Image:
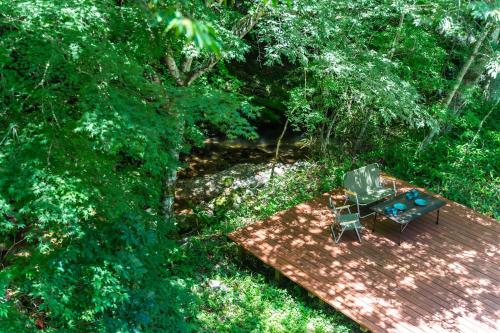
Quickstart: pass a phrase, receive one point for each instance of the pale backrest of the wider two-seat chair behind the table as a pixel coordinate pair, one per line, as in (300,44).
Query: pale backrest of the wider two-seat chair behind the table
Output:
(364,179)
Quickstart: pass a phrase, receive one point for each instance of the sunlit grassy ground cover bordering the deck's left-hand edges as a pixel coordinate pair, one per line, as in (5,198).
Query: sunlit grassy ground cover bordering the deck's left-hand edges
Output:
(246,297)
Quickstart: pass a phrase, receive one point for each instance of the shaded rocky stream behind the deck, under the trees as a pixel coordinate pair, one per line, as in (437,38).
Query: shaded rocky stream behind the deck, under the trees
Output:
(206,167)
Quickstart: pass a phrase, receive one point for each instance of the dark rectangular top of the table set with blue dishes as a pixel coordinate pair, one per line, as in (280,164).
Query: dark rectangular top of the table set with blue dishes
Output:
(412,211)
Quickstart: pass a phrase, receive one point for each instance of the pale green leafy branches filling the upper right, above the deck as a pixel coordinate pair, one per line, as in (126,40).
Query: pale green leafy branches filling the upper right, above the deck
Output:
(368,67)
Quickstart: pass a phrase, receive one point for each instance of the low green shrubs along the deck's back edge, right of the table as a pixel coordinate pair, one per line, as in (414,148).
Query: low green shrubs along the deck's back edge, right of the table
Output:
(462,165)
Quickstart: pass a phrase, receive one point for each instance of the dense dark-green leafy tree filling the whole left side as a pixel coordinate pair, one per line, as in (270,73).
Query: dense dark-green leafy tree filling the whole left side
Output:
(89,122)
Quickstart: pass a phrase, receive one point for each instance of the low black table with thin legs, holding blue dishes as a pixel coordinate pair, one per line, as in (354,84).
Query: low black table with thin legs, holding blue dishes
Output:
(411,213)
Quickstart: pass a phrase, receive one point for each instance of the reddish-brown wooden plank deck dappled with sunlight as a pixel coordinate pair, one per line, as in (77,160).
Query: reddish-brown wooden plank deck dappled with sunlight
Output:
(443,278)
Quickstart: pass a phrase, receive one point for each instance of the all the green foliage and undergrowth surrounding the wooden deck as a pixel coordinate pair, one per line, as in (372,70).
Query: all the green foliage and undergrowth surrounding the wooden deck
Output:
(92,121)
